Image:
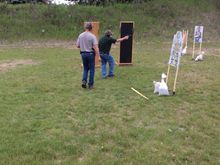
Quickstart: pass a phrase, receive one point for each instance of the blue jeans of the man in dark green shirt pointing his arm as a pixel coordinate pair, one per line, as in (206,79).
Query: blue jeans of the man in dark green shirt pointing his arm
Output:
(107,58)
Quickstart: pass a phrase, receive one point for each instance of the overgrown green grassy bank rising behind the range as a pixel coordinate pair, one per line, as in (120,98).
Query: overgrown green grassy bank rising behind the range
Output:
(158,19)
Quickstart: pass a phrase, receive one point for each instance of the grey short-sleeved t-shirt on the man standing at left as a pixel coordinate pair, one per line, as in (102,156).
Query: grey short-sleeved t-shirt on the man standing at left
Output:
(86,41)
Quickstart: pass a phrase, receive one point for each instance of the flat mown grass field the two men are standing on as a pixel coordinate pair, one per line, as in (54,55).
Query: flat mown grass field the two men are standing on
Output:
(47,118)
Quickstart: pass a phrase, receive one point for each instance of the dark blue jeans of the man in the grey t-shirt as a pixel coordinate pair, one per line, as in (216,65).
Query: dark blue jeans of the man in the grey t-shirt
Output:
(88,59)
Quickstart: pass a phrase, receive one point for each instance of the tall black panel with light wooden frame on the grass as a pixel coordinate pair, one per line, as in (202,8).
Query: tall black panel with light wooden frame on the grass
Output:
(127,28)
